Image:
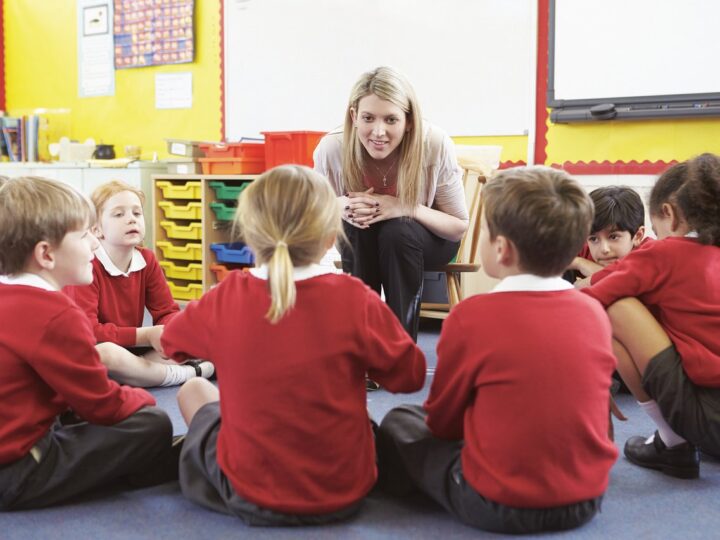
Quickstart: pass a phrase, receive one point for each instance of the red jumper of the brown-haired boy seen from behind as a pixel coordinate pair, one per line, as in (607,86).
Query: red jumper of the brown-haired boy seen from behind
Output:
(523,378)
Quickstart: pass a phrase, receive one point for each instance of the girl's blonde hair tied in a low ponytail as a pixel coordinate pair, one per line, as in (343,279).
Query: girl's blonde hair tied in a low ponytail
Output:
(287,217)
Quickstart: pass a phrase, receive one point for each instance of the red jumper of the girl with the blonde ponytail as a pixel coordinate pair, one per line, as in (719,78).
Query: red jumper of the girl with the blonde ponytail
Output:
(295,435)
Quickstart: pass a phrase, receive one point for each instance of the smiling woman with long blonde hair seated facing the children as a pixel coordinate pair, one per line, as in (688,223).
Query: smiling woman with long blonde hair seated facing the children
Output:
(399,188)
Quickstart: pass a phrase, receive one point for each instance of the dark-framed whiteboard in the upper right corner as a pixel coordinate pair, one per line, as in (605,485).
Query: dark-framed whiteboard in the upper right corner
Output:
(661,53)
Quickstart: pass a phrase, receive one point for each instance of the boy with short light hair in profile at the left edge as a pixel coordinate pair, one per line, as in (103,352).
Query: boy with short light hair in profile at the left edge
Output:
(49,363)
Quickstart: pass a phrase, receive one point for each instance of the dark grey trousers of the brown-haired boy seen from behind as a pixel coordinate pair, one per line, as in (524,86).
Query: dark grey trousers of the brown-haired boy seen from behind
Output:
(410,457)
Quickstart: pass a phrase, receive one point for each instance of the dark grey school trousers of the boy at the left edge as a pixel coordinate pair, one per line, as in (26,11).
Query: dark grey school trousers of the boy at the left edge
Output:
(72,459)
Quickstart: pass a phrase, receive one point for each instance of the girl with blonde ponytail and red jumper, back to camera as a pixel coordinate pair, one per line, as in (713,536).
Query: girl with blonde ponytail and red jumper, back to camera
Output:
(292,343)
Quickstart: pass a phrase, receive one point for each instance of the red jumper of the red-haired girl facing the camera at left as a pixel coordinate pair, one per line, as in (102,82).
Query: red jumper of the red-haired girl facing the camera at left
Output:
(115,304)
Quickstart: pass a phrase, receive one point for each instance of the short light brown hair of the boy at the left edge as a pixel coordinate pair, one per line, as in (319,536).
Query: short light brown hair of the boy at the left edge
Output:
(33,210)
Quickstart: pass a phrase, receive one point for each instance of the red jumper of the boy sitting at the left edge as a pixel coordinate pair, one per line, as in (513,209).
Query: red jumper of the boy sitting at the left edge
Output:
(49,364)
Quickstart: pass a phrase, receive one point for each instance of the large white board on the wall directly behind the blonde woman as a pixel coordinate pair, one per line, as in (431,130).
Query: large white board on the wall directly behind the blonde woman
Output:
(290,64)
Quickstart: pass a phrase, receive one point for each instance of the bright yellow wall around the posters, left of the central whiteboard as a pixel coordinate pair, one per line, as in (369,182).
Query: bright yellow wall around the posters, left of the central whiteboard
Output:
(41,72)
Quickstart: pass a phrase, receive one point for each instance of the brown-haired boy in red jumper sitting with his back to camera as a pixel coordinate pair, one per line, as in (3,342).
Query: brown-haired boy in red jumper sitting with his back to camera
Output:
(513,437)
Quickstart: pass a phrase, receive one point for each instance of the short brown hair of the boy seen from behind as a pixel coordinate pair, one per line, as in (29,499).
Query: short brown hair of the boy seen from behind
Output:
(544,212)
